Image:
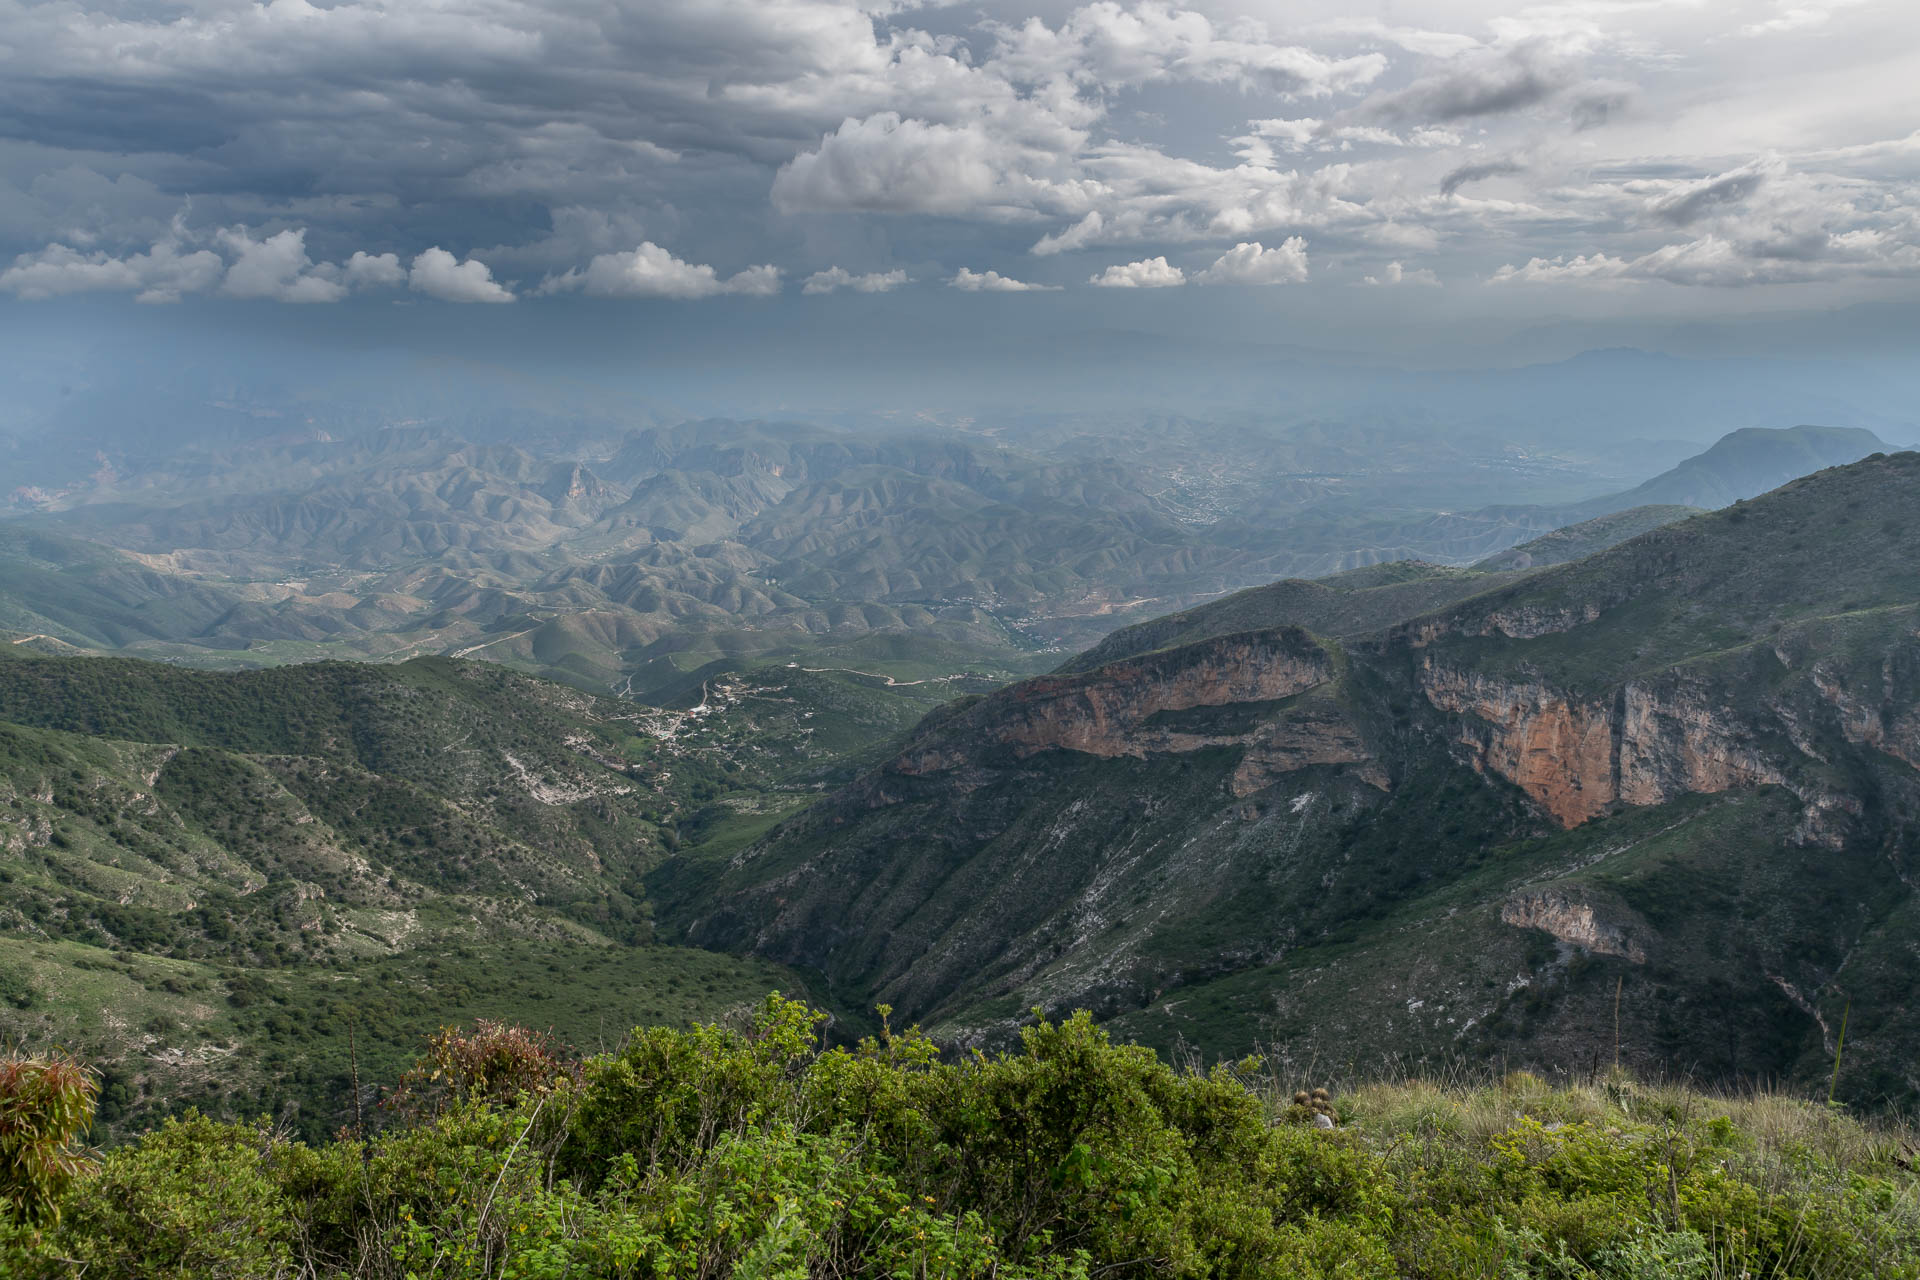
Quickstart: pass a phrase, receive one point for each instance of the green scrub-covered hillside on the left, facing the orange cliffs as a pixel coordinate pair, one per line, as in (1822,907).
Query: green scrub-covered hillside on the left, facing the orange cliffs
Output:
(210,880)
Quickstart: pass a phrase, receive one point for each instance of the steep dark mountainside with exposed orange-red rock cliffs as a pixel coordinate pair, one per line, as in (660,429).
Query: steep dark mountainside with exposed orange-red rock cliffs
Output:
(1683,767)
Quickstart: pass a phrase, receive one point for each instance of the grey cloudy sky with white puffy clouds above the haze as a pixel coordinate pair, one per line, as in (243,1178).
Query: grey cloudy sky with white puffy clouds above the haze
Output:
(1293,164)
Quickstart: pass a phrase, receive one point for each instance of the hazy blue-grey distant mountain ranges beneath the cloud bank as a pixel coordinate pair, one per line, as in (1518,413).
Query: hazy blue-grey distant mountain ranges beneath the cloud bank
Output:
(598,569)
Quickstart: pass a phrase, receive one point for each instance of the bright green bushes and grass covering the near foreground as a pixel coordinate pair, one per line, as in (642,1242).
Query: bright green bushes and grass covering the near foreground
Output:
(757,1152)
